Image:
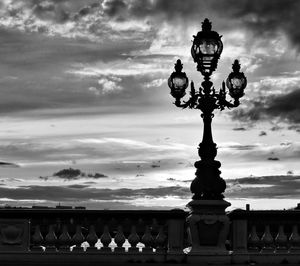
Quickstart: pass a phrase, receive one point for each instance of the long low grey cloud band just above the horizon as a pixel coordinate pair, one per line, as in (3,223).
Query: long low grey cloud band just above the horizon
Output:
(249,187)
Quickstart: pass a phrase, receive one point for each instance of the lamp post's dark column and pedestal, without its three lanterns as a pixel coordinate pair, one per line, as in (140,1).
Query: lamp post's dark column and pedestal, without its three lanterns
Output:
(208,224)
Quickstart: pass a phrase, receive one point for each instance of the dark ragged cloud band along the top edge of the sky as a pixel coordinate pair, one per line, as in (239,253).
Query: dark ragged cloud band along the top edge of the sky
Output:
(261,17)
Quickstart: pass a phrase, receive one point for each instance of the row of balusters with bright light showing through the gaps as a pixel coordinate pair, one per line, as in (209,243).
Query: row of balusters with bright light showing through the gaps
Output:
(103,235)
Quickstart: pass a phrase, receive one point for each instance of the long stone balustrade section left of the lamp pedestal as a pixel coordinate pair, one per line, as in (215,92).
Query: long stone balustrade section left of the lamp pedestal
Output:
(132,236)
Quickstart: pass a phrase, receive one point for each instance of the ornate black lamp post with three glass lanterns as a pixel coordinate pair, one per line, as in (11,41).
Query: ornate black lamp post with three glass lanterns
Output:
(207,187)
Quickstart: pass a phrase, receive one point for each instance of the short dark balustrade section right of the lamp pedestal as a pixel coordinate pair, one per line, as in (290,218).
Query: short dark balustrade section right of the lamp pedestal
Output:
(266,236)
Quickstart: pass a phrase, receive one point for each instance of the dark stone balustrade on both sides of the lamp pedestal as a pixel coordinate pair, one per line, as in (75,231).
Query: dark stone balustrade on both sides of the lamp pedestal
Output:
(75,236)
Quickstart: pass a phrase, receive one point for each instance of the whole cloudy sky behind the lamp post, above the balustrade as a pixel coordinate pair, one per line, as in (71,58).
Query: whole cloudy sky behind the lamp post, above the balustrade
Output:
(83,86)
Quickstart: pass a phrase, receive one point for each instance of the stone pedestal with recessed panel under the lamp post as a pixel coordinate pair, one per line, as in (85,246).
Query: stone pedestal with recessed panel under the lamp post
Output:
(208,227)
